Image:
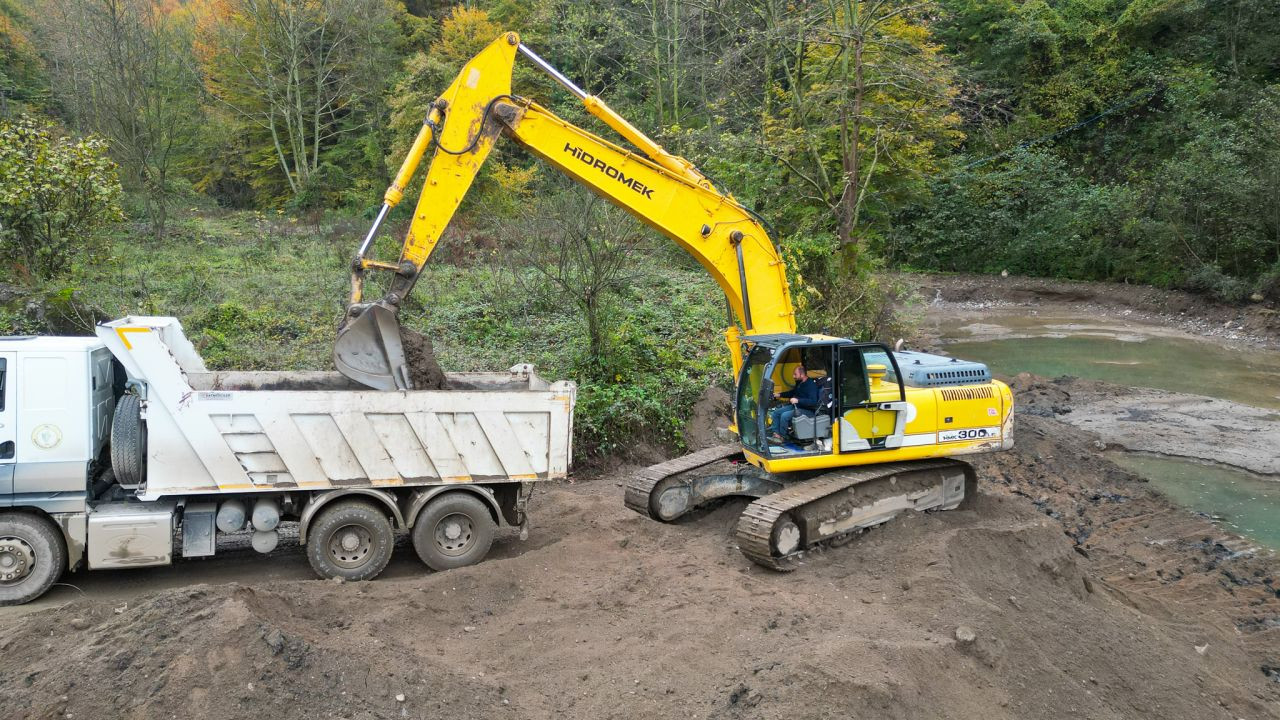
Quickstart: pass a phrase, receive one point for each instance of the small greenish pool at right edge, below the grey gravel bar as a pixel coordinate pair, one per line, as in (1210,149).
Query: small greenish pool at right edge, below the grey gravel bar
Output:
(1241,502)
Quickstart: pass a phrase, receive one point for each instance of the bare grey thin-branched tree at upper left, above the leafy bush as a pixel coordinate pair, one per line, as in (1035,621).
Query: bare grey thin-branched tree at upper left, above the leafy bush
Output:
(124,70)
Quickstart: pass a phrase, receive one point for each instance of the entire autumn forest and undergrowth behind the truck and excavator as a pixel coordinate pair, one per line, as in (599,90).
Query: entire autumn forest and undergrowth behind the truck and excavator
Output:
(221,160)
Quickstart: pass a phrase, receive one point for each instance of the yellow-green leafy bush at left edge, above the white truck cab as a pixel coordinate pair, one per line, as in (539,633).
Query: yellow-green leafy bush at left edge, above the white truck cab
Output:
(56,193)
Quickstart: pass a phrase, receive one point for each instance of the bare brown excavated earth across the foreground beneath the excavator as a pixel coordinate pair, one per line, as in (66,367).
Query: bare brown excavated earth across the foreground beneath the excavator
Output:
(1069,589)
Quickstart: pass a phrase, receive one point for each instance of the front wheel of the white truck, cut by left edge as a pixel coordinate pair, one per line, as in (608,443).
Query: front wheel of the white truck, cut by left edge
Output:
(33,557)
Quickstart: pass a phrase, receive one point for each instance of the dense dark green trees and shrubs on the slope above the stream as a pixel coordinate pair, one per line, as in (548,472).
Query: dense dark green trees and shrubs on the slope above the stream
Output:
(1154,144)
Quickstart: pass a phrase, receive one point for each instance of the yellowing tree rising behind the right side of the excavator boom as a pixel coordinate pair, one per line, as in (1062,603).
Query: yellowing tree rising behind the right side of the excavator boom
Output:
(871,106)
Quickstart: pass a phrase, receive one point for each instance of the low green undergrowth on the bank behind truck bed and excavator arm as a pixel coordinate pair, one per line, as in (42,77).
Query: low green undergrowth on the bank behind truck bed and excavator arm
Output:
(267,291)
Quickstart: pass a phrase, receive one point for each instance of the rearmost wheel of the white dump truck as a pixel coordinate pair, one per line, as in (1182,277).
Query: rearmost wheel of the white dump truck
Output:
(454,531)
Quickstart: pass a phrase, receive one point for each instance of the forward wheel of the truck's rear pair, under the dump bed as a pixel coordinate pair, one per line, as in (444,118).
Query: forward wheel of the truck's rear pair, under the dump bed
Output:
(350,540)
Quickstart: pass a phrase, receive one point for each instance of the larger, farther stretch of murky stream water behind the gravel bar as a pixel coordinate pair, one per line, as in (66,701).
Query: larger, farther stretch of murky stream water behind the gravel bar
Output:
(1123,353)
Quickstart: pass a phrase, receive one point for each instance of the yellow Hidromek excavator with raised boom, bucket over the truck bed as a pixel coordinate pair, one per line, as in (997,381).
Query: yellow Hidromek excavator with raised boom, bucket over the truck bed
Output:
(877,440)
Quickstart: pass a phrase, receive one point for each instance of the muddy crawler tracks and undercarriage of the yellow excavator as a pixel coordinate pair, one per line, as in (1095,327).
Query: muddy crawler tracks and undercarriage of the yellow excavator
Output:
(797,513)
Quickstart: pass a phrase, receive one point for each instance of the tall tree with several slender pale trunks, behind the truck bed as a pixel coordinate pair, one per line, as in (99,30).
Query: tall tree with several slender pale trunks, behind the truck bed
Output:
(303,76)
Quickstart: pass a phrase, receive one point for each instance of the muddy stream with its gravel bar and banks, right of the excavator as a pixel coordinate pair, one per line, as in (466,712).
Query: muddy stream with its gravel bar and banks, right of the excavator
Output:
(1190,404)
